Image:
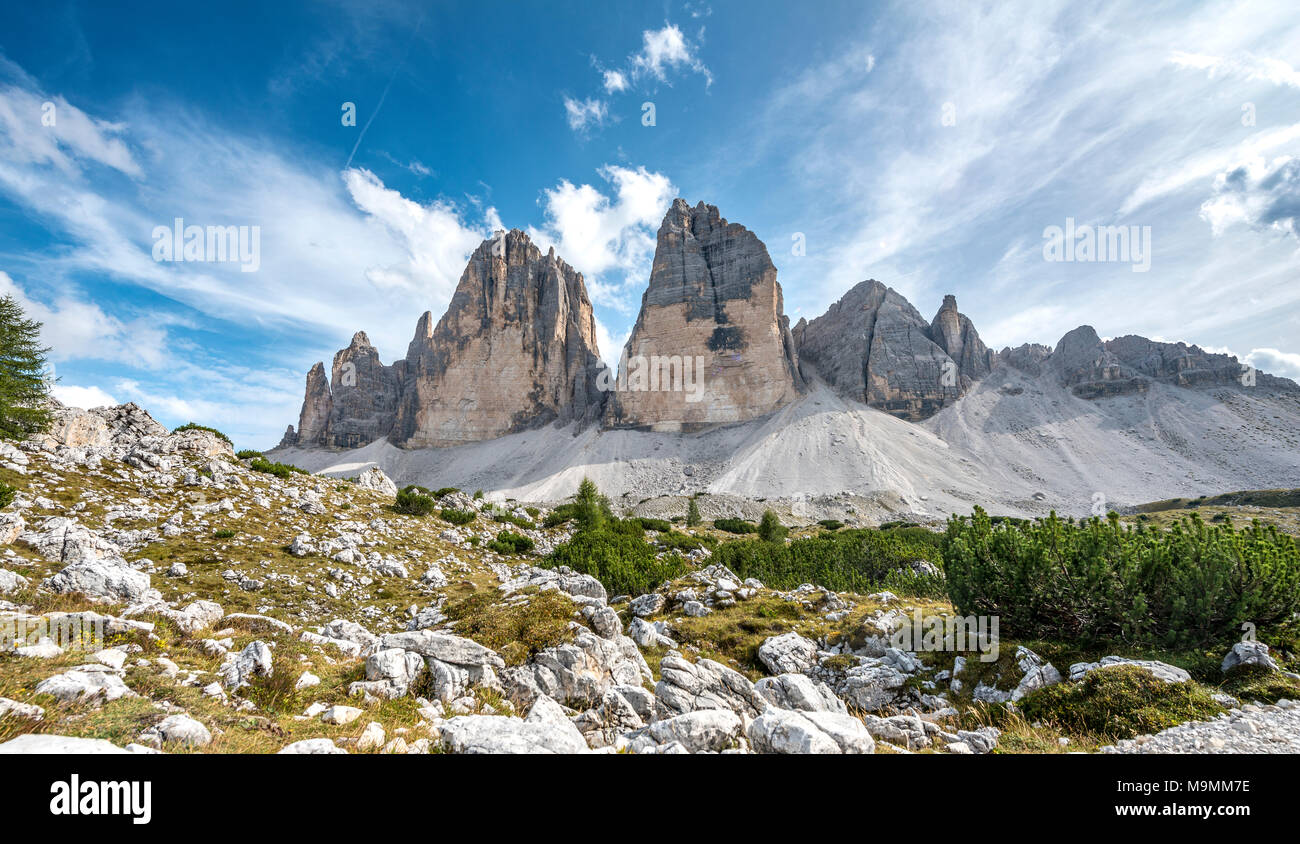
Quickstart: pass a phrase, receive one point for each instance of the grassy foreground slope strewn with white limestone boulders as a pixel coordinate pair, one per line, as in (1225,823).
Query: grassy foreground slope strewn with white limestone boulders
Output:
(270,611)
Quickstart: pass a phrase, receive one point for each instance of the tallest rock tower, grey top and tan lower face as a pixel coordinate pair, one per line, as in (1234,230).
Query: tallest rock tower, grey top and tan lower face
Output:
(712,344)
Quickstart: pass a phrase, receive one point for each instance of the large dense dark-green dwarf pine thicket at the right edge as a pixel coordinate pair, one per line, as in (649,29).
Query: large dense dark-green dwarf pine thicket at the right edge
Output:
(1097,581)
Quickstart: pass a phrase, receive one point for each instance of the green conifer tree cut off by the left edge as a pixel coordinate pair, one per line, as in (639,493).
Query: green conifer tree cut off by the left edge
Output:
(24,388)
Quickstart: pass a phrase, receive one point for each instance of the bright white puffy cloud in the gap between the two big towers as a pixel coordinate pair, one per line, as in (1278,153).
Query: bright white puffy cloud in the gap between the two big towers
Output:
(609,240)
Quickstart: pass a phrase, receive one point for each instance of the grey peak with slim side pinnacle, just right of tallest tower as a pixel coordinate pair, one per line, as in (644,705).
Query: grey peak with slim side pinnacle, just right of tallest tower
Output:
(876,348)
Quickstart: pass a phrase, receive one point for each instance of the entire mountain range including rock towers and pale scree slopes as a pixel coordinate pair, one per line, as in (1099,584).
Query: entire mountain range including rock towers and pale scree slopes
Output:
(866,410)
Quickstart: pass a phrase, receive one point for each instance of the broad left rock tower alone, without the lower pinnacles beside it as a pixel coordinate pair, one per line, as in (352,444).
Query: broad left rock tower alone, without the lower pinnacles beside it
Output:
(517,349)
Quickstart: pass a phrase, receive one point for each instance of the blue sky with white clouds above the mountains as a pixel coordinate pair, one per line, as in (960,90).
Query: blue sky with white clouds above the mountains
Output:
(925,145)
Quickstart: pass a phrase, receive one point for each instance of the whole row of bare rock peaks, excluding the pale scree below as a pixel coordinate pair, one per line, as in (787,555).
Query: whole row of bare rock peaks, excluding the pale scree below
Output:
(712,347)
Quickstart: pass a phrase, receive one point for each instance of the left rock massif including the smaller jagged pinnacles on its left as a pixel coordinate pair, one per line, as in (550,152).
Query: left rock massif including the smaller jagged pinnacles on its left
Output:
(517,349)
